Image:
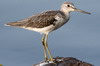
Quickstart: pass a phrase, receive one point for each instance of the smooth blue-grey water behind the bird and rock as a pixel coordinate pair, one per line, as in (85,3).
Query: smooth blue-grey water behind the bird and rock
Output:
(79,38)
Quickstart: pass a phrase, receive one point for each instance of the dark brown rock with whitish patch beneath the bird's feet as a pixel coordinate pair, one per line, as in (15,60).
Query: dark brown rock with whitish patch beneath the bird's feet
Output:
(63,61)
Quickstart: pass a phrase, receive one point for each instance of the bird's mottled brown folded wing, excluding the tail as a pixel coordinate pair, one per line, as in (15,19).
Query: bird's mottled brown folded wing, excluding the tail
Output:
(42,20)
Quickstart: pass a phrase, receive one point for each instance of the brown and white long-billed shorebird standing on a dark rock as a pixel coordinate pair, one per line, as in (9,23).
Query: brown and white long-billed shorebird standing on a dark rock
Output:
(47,22)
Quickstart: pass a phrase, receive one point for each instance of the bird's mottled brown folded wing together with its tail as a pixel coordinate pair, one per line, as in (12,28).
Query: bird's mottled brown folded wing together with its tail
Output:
(37,21)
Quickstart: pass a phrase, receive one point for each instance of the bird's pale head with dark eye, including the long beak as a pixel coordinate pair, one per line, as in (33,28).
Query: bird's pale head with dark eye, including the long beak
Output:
(67,7)
